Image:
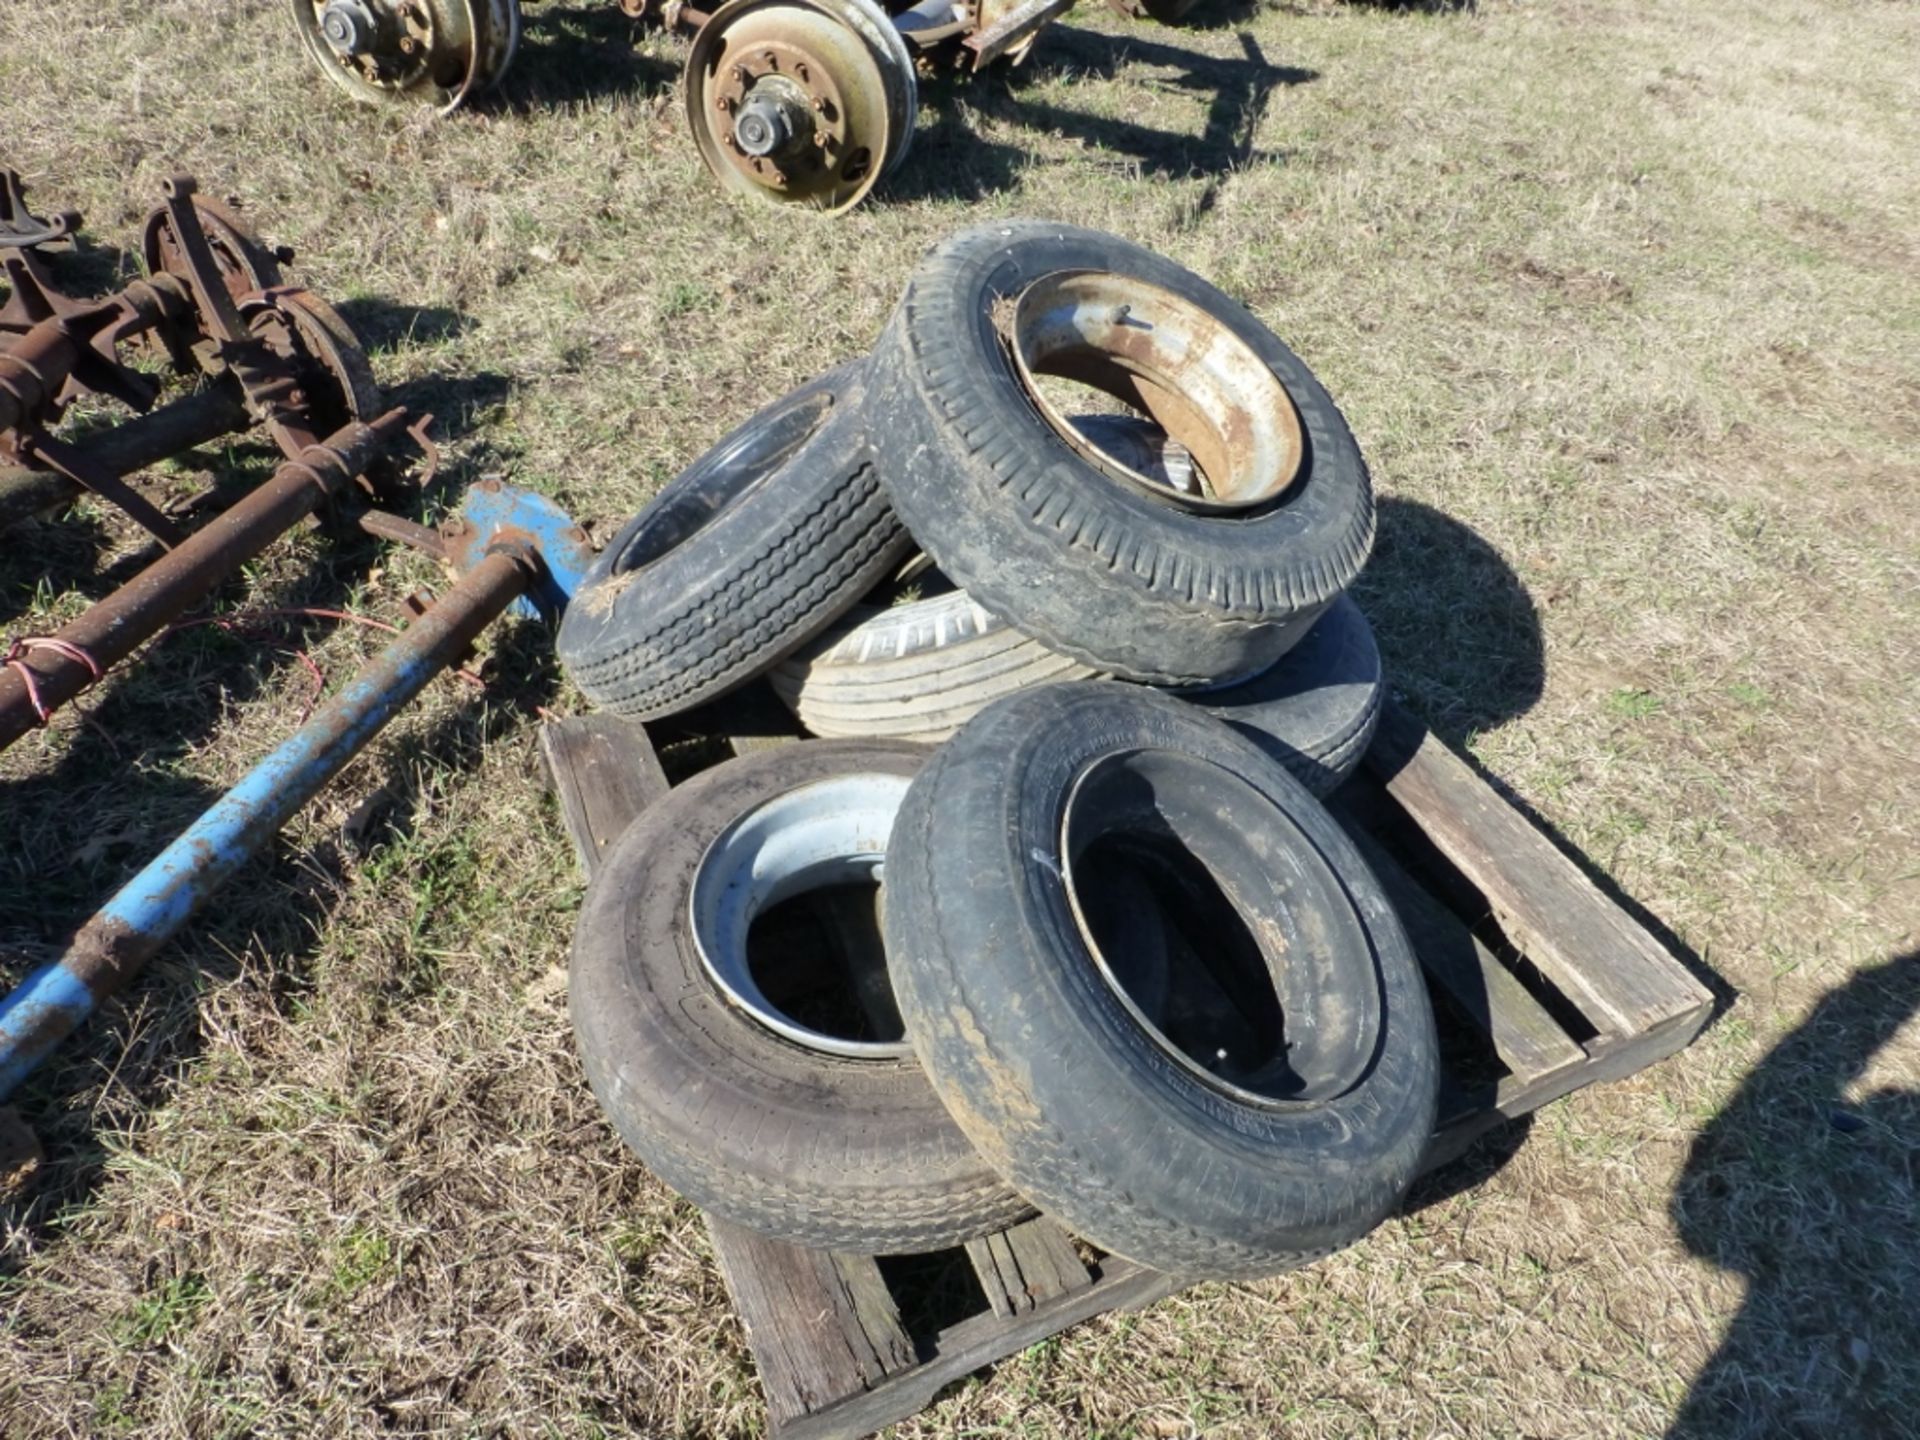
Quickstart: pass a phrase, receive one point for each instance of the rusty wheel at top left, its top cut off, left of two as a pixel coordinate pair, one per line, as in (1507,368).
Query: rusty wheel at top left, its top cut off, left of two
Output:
(406,53)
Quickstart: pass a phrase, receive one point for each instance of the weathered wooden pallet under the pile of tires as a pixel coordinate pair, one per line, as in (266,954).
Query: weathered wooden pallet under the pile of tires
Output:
(1541,984)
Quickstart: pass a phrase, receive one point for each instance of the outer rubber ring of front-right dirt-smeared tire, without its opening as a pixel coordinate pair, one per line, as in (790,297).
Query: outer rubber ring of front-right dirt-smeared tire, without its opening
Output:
(1059,1070)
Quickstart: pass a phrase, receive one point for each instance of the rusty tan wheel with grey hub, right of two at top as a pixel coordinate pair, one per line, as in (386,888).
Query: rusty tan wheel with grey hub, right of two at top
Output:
(804,103)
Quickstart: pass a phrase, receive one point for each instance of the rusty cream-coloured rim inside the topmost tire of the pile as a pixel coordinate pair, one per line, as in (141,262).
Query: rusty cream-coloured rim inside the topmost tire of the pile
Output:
(1176,364)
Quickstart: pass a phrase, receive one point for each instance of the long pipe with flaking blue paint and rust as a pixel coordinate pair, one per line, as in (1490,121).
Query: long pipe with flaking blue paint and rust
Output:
(122,938)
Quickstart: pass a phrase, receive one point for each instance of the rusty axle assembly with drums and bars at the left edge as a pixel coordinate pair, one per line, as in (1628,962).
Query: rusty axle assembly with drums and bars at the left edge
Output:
(216,308)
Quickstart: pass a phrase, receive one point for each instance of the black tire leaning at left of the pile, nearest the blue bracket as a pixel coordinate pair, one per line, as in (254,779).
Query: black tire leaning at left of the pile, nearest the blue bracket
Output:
(748,554)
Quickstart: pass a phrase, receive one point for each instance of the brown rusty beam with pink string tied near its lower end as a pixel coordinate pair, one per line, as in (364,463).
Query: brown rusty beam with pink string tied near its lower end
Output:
(183,577)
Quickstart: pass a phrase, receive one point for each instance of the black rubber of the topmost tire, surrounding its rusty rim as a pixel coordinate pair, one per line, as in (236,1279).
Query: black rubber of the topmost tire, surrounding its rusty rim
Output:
(1105,575)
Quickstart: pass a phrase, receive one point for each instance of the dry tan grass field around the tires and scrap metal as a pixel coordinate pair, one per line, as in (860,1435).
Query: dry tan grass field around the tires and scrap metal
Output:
(1623,300)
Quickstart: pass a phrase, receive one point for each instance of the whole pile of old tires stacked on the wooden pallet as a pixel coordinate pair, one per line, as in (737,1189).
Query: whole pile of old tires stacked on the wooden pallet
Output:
(1084,938)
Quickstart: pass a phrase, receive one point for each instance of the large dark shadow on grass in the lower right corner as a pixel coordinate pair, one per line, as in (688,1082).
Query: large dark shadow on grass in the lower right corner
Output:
(1812,1199)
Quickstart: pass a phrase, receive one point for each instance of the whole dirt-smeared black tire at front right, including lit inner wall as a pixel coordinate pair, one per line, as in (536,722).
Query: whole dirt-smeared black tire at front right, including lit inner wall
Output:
(1049,1074)
